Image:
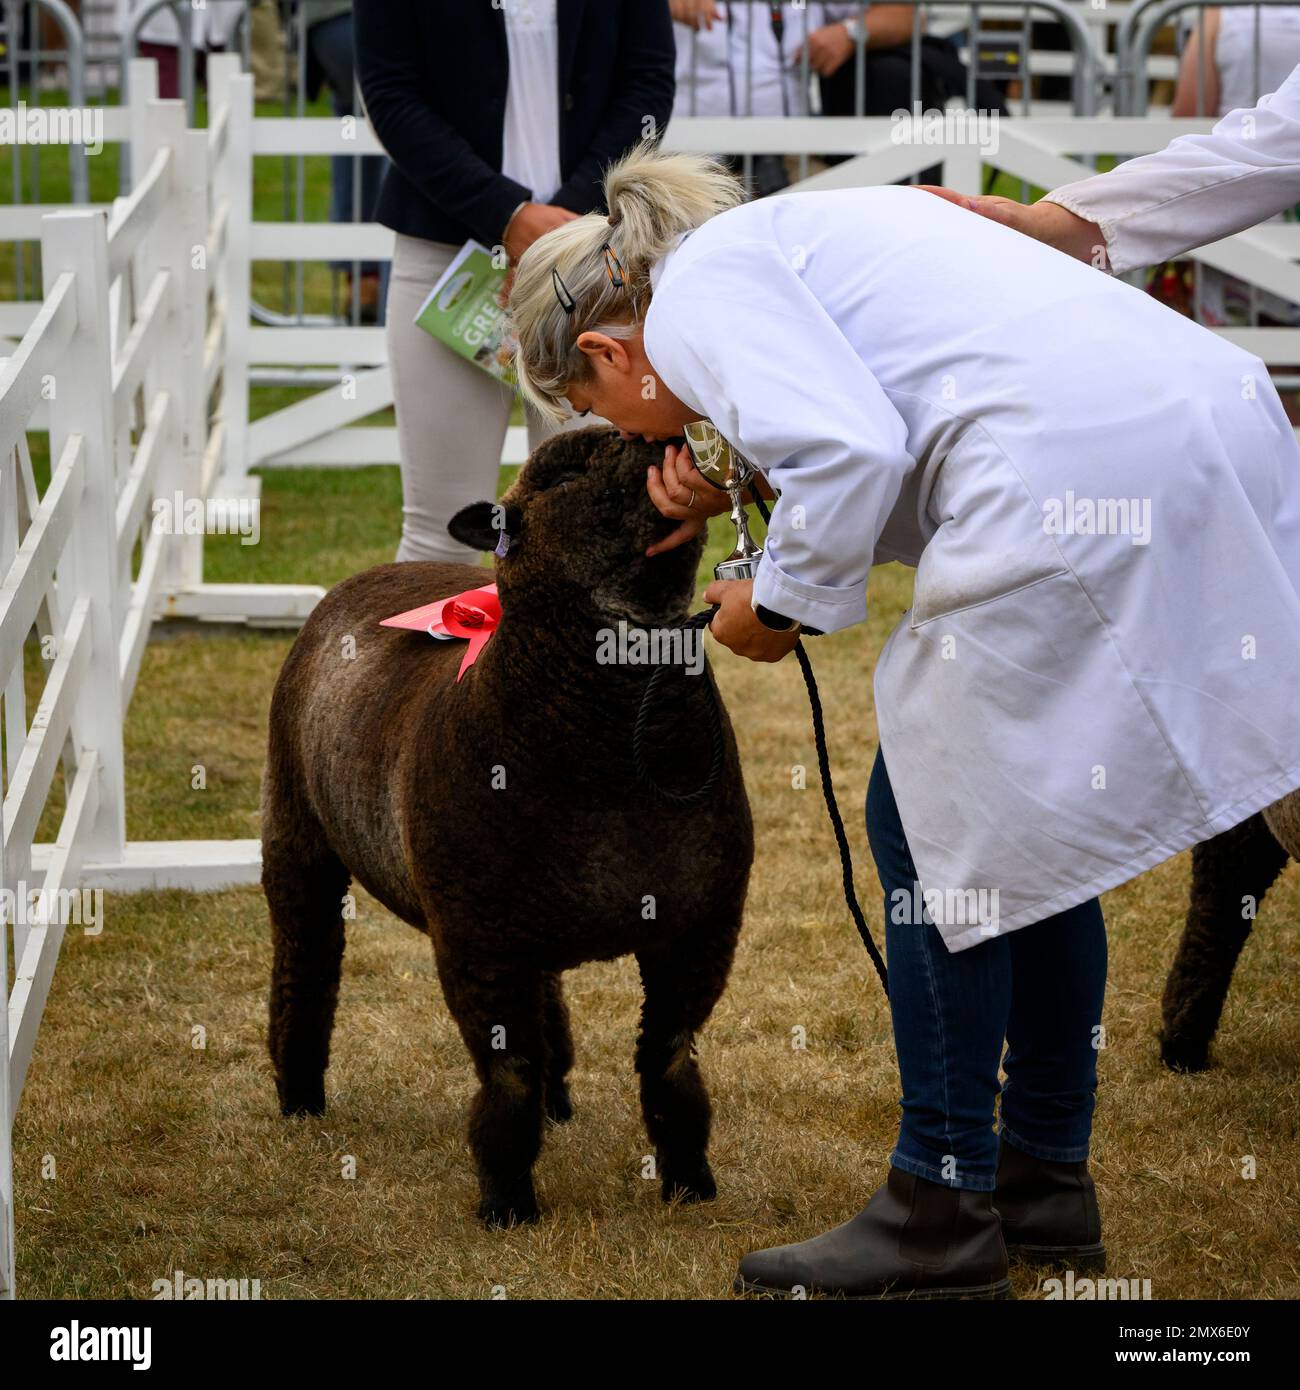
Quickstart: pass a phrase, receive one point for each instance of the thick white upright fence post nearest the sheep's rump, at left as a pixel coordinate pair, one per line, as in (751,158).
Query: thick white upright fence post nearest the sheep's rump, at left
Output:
(83,405)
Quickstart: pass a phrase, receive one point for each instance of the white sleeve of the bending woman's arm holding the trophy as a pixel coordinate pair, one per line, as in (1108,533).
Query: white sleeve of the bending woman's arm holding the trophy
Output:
(742,336)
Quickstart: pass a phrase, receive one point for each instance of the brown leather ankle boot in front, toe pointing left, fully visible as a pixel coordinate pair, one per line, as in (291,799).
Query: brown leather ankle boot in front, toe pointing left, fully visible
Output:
(913,1241)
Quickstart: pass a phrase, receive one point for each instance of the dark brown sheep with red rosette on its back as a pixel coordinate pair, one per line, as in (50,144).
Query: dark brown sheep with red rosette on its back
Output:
(504,818)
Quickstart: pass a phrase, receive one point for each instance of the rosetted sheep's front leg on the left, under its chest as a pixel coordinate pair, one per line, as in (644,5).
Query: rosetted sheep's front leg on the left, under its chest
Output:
(500,1015)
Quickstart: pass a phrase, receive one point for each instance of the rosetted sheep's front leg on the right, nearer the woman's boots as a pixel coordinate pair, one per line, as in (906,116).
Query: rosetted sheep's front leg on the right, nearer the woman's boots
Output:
(682,982)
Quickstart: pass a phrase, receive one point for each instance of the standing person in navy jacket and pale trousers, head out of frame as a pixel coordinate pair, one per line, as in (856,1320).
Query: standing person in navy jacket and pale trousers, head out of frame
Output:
(500,120)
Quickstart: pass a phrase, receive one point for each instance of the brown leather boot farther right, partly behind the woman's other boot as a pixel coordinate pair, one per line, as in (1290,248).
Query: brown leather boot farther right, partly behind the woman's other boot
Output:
(1049,1211)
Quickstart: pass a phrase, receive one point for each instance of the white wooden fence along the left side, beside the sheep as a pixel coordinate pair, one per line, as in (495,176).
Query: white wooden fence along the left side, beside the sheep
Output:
(119,366)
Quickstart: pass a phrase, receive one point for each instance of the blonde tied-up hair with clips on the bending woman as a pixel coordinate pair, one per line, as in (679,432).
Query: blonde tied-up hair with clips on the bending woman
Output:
(653,199)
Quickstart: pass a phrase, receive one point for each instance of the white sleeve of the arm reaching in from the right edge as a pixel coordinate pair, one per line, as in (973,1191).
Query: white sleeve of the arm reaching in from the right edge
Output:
(1199,188)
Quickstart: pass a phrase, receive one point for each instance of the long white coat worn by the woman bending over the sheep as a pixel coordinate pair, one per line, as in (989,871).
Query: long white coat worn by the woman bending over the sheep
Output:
(1059,711)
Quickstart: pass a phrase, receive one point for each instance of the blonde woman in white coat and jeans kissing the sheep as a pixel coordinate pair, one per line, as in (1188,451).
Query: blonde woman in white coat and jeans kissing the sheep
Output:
(1100,665)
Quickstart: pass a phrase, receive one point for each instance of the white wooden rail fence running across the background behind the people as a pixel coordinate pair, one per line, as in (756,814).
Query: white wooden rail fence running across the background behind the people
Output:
(322,432)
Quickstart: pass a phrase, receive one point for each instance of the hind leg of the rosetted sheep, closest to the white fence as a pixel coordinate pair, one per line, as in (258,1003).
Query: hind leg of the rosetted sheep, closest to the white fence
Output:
(305,893)
